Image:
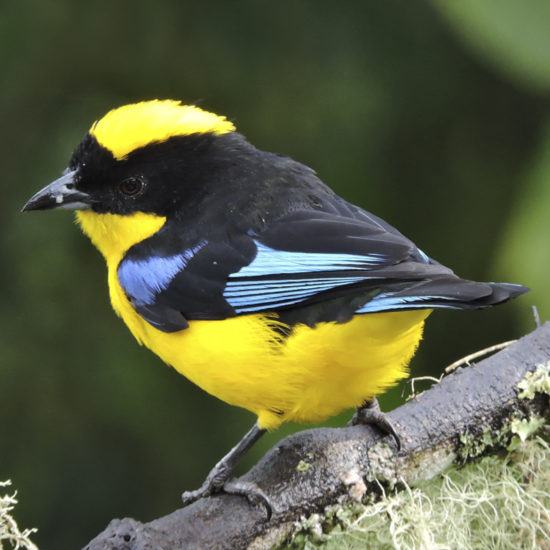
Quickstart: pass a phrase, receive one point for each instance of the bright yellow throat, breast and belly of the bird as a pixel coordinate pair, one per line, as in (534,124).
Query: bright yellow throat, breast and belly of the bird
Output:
(306,377)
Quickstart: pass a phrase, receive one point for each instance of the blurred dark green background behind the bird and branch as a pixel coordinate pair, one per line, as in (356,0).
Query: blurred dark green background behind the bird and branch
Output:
(434,115)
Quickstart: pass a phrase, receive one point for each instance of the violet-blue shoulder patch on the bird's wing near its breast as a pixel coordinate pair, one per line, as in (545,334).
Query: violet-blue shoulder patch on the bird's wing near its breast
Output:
(143,279)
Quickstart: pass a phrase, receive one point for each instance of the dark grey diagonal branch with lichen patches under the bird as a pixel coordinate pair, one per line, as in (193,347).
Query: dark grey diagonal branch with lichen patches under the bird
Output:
(473,412)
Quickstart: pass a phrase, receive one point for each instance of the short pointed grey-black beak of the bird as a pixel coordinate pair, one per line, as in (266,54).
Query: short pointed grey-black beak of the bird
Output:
(61,193)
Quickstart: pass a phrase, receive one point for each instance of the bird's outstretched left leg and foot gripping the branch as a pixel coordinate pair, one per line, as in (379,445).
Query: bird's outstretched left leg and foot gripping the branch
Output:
(219,479)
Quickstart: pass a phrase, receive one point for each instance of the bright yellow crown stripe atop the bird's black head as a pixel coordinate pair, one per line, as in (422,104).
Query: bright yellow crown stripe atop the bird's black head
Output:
(132,126)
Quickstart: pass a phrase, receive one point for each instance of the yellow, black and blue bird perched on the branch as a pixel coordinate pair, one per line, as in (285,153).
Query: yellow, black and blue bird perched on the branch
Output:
(247,274)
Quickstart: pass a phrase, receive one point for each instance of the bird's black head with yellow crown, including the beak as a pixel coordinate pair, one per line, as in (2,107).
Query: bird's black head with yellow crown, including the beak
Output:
(147,157)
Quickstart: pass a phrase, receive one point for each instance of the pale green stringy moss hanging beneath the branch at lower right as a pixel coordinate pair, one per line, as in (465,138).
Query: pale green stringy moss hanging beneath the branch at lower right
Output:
(495,503)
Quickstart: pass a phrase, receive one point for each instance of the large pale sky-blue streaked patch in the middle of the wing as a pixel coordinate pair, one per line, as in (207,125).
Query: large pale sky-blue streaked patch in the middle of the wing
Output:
(246,292)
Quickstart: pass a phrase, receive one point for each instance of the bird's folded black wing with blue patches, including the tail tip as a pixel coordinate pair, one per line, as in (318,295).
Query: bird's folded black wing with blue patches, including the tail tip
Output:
(308,266)
